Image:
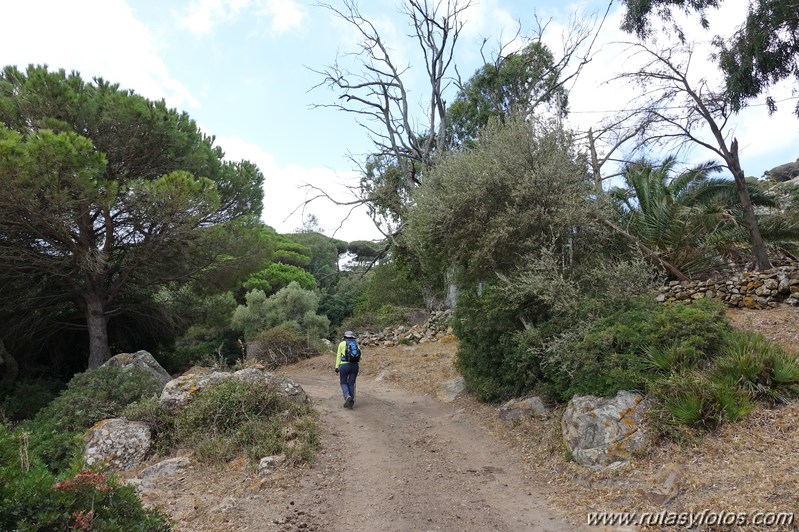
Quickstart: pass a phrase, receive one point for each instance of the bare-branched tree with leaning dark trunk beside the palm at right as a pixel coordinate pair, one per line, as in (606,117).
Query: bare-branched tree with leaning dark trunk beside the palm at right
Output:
(681,110)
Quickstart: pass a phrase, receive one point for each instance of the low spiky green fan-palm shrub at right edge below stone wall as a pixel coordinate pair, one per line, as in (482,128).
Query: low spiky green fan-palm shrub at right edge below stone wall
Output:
(758,366)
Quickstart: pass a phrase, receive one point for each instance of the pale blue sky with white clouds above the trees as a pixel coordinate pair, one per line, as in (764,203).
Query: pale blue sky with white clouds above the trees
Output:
(247,72)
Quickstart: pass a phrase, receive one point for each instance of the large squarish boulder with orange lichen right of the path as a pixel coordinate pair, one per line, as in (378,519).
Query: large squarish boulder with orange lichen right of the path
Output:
(604,432)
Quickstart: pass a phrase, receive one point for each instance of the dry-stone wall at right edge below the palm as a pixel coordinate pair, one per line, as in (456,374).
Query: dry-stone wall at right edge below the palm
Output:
(754,290)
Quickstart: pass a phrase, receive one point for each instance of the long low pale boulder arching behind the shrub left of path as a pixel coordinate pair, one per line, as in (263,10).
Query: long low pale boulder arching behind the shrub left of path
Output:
(178,391)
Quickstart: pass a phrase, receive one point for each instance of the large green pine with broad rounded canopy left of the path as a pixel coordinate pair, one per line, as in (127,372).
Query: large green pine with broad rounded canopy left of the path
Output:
(107,197)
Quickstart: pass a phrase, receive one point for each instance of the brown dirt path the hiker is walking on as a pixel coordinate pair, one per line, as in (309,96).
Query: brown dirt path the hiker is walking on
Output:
(400,461)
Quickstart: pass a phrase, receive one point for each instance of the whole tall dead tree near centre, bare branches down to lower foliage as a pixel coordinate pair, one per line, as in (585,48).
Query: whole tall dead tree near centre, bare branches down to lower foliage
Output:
(373,87)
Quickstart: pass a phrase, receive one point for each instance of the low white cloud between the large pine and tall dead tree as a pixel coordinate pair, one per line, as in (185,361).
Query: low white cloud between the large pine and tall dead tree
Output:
(285,194)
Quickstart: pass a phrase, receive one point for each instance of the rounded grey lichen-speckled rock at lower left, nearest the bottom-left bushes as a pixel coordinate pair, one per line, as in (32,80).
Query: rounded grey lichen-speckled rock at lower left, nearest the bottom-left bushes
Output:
(117,443)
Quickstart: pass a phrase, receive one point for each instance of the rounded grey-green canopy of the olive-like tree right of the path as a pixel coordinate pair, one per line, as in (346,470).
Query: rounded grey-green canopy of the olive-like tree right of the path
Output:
(519,190)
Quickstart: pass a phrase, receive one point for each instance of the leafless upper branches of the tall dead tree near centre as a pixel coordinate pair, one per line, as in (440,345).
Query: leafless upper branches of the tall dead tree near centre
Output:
(377,92)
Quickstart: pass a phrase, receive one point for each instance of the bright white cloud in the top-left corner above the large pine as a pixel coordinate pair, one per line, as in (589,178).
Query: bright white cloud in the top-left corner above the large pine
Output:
(98,38)
